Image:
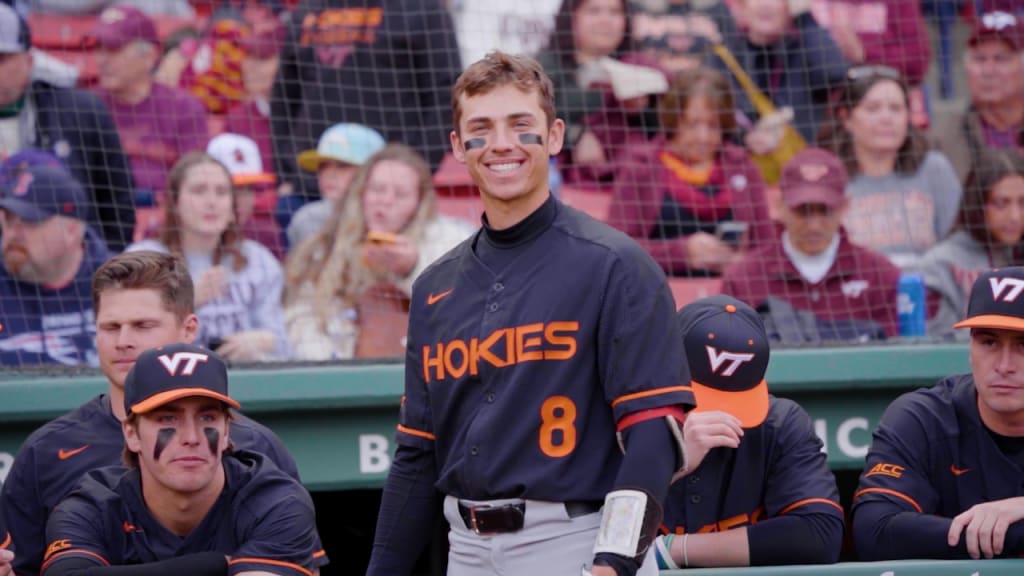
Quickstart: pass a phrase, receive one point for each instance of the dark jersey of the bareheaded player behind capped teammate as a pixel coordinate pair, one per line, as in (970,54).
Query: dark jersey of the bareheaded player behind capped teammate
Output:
(56,458)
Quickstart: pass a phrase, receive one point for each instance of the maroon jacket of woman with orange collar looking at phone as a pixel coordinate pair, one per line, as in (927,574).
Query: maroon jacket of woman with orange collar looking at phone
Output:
(641,194)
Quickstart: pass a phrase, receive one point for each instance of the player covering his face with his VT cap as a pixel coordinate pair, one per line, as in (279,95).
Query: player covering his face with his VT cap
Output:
(759,490)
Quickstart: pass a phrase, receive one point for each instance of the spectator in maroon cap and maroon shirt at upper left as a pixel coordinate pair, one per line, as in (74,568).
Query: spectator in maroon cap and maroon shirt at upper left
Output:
(157,125)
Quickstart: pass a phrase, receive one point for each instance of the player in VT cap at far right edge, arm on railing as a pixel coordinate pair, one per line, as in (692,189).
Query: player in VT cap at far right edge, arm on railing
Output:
(944,475)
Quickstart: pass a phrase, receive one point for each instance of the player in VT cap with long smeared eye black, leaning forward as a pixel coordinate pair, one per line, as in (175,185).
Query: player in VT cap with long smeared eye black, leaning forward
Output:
(187,504)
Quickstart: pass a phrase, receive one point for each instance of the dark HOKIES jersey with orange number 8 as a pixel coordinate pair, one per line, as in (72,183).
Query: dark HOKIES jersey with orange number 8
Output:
(519,380)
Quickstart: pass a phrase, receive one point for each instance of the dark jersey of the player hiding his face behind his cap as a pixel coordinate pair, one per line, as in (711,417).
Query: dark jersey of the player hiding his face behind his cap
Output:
(778,470)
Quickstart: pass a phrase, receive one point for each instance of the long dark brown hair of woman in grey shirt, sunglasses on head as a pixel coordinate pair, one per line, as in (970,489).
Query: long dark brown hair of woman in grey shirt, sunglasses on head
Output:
(834,137)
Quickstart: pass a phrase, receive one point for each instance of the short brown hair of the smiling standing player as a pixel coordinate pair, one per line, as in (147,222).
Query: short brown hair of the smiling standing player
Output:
(497,70)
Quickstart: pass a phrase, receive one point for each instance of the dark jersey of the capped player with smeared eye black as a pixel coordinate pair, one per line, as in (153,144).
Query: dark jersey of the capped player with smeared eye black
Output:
(264,520)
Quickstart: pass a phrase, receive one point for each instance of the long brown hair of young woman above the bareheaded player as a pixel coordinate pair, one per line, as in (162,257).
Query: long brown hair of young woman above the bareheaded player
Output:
(170,234)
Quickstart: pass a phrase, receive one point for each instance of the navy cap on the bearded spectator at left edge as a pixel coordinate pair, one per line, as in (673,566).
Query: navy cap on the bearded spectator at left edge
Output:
(40,192)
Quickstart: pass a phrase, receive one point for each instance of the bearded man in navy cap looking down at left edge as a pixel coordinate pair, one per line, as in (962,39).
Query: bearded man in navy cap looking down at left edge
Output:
(50,255)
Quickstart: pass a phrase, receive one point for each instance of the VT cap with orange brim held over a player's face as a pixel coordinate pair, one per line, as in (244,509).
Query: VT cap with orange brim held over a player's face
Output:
(728,350)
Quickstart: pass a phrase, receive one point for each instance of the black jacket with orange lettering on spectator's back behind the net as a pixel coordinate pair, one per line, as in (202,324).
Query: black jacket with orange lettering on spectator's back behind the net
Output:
(389,65)
